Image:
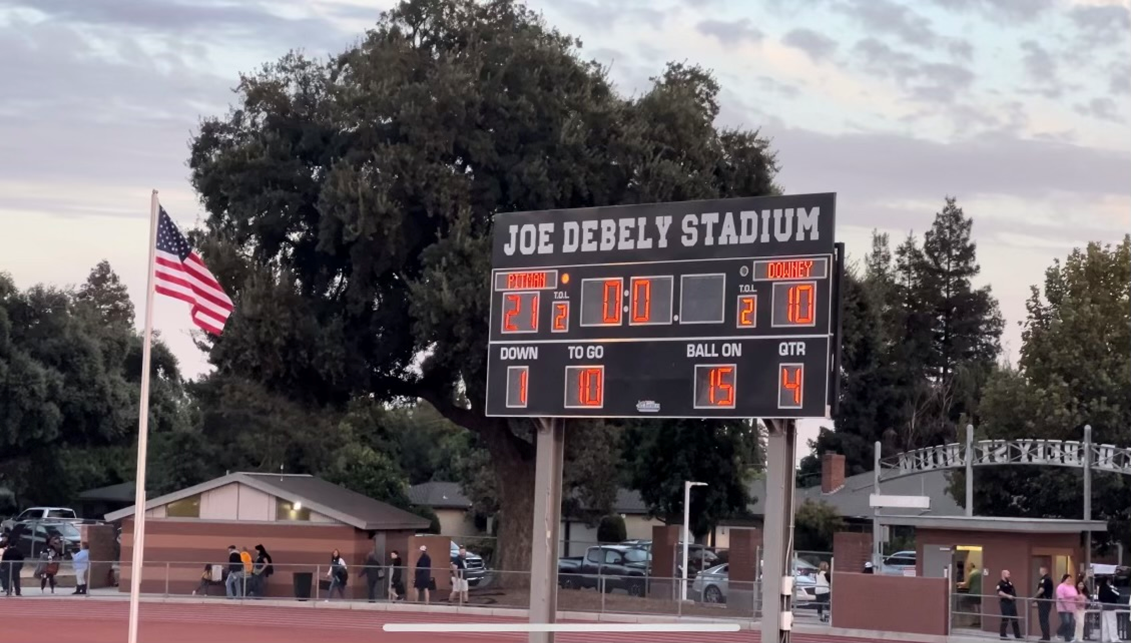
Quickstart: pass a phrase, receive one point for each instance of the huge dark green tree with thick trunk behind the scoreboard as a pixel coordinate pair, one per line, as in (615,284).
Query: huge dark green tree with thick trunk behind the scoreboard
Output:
(350,205)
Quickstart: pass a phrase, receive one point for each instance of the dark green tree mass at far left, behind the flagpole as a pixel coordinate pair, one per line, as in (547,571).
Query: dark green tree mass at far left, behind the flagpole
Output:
(71,369)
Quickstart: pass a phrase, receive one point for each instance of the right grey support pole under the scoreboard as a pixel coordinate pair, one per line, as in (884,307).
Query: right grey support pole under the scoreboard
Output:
(778,554)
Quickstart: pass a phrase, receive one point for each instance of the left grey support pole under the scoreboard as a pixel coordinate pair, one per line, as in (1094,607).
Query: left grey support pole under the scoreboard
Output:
(550,445)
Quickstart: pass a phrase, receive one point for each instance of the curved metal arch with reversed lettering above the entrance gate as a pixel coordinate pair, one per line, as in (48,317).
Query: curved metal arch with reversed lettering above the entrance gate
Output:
(999,453)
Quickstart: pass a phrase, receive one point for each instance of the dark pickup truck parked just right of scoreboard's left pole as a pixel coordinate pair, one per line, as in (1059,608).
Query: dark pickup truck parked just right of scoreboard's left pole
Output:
(607,568)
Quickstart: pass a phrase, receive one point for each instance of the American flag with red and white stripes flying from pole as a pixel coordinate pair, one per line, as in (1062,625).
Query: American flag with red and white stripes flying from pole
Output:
(184,276)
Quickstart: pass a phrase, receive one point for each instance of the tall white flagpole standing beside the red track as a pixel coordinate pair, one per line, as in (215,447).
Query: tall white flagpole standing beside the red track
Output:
(143,429)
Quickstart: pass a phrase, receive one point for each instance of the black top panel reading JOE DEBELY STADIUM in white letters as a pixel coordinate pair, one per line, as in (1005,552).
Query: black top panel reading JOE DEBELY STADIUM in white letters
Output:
(758,227)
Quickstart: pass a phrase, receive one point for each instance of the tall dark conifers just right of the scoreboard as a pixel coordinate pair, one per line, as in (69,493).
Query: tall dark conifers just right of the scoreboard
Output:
(919,344)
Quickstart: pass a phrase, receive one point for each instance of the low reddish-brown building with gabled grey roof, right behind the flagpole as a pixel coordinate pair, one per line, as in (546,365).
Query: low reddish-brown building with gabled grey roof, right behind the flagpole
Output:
(299,519)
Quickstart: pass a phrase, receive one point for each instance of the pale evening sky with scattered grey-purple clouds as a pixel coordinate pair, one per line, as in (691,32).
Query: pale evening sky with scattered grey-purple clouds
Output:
(1018,108)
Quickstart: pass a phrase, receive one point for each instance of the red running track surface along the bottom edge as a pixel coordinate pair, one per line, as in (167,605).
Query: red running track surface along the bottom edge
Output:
(93,621)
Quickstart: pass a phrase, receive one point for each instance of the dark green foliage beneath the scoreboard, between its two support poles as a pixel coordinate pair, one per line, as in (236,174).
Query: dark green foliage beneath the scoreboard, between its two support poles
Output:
(662,455)
